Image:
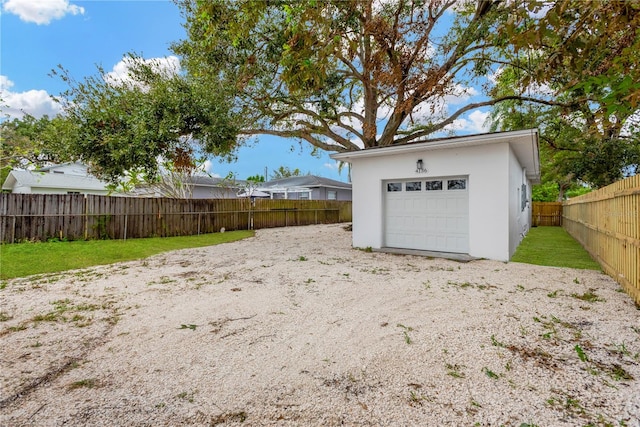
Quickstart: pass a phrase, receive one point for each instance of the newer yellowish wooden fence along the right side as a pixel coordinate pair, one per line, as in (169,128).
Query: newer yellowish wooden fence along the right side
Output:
(607,223)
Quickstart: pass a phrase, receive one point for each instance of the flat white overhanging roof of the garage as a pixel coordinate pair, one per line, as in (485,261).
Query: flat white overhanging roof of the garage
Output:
(524,144)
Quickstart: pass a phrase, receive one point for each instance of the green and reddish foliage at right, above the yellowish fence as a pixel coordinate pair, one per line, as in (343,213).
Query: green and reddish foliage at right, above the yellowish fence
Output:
(579,54)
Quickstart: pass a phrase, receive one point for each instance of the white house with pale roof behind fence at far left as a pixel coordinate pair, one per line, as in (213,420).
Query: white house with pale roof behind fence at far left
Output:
(67,178)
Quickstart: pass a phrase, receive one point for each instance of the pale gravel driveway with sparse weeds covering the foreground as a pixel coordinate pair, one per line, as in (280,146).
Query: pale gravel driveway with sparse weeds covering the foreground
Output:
(294,327)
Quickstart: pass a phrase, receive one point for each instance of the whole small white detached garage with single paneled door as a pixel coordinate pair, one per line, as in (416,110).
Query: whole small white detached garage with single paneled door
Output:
(466,195)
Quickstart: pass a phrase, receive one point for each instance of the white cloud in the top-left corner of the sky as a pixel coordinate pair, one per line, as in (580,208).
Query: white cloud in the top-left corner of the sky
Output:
(41,12)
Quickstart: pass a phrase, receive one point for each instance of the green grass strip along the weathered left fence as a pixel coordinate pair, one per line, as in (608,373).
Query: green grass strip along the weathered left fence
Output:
(25,259)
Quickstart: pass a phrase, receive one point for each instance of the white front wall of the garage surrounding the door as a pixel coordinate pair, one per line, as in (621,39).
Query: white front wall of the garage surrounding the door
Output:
(487,169)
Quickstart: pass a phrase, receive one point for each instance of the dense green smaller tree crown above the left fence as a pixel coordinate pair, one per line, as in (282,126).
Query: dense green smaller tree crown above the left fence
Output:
(149,114)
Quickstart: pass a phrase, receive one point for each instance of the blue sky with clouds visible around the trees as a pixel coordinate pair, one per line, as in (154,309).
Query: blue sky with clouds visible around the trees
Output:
(37,35)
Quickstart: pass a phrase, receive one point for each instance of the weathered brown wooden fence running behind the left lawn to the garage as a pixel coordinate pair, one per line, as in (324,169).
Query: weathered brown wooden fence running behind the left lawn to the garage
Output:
(73,217)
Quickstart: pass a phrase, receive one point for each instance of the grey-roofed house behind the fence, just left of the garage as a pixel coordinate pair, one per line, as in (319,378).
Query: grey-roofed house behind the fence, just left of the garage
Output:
(307,187)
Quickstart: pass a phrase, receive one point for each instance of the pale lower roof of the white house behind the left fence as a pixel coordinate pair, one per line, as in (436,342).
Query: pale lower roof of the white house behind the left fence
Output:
(36,179)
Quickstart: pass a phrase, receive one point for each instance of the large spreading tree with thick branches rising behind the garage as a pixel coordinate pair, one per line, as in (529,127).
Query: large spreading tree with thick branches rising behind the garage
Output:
(343,74)
